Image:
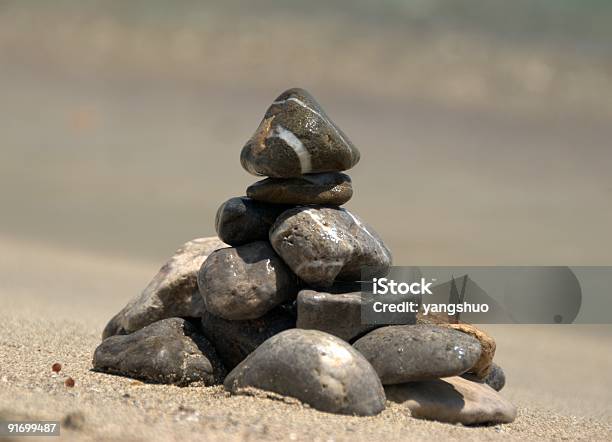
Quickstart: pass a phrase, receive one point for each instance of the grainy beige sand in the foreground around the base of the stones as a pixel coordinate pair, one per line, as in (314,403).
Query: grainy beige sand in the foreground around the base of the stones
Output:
(559,377)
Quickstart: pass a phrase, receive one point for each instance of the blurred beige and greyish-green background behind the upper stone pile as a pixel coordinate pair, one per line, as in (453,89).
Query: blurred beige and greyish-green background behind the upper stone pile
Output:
(485,127)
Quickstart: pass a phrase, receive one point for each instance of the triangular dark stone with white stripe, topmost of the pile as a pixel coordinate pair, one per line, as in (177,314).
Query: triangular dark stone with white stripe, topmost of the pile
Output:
(297,137)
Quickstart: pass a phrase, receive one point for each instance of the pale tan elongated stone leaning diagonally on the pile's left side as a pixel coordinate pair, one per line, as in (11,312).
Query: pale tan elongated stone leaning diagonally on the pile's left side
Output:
(173,292)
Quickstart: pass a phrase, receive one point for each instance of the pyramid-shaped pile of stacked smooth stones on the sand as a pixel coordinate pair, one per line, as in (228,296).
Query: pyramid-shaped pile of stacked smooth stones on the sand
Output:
(278,309)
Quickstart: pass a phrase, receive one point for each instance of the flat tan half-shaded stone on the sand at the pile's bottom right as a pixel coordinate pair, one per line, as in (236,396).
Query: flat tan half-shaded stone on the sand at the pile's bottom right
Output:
(454,400)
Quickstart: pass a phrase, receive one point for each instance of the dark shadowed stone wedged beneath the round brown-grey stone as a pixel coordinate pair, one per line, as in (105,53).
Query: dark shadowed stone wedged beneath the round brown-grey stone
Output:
(235,340)
